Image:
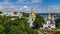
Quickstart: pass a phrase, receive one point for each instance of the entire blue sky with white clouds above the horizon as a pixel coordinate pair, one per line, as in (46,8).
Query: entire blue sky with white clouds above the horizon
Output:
(40,6)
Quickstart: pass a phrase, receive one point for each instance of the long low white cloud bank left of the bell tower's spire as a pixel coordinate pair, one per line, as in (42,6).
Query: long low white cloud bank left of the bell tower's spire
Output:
(17,8)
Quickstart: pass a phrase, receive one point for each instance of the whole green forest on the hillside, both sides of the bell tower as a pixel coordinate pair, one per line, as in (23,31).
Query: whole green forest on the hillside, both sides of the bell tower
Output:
(20,25)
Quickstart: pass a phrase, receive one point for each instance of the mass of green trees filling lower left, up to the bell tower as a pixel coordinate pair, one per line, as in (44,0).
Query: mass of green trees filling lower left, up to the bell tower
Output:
(17,26)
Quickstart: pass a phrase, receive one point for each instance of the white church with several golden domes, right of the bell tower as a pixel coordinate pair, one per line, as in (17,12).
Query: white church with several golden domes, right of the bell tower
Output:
(49,22)
